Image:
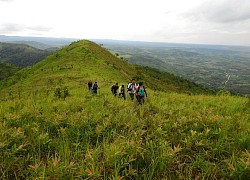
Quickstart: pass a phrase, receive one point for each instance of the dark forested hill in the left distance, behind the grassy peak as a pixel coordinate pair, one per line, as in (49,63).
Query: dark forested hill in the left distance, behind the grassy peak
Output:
(20,54)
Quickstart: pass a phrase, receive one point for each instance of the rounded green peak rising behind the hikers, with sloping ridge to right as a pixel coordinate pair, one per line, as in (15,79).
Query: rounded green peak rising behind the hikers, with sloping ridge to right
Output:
(84,60)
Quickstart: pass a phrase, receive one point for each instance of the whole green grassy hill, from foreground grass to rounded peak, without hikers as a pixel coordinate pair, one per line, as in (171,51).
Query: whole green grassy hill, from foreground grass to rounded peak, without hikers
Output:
(52,127)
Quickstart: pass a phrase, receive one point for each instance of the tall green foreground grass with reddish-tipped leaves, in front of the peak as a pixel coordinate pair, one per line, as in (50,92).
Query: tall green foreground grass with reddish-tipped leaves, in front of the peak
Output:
(173,136)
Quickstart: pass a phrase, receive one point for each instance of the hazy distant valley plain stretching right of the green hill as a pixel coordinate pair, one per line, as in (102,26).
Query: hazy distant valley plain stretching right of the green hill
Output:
(218,67)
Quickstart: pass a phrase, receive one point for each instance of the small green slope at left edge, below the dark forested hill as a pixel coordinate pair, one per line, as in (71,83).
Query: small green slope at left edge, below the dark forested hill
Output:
(7,70)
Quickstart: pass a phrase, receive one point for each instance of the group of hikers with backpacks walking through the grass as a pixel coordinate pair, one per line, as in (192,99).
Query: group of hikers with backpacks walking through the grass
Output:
(134,90)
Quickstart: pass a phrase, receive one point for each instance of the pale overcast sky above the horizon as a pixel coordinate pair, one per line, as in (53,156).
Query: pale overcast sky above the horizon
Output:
(224,22)
